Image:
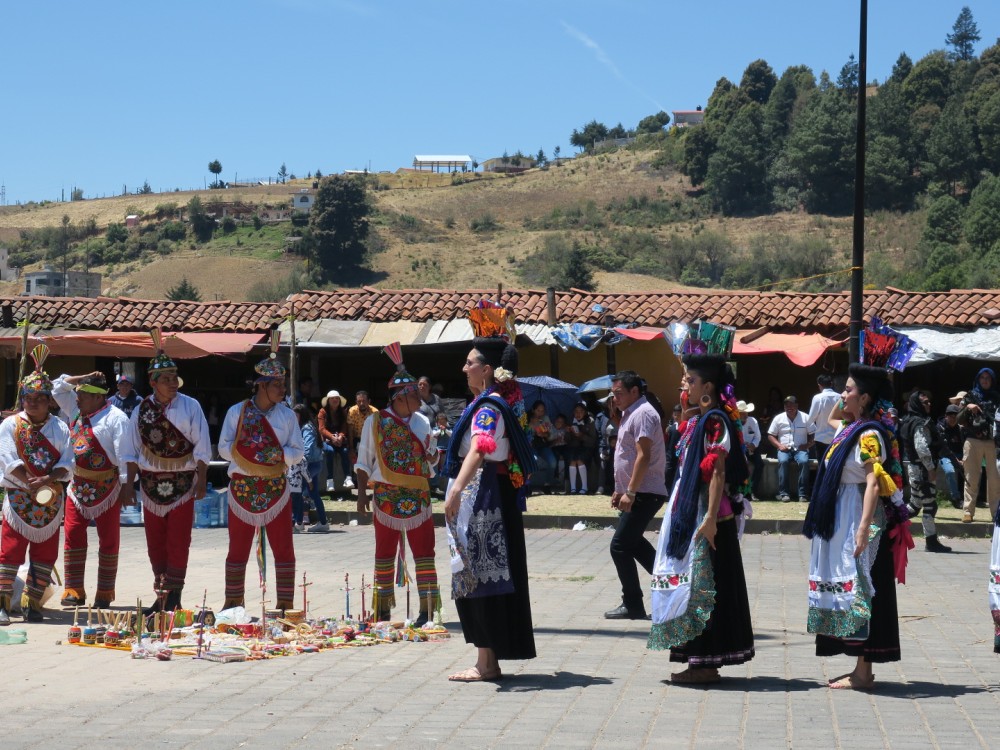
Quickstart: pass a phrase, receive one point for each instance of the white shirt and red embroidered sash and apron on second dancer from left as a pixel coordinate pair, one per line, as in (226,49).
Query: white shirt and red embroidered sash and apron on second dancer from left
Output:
(96,441)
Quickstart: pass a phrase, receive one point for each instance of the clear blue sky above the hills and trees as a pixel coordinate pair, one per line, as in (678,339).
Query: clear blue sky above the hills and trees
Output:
(108,94)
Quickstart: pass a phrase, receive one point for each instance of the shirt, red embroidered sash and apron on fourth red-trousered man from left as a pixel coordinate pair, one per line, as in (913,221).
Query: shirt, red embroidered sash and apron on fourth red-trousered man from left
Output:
(261,447)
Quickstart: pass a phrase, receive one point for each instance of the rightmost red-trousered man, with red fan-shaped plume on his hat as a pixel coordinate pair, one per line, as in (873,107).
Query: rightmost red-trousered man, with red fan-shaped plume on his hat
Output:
(396,455)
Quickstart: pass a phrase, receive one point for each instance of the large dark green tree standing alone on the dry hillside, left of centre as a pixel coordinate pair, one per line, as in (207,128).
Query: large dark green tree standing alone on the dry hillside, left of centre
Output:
(339,224)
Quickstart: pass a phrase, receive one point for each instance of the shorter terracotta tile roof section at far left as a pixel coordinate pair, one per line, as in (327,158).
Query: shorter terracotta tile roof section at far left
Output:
(123,314)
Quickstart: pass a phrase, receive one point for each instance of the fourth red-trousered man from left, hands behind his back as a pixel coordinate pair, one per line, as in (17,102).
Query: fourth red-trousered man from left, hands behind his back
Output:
(261,439)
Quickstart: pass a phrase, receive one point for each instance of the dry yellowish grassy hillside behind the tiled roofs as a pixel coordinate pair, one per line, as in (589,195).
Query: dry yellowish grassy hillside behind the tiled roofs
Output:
(461,231)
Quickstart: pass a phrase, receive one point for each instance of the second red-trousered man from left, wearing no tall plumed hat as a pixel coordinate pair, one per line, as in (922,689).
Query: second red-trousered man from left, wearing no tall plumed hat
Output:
(97,430)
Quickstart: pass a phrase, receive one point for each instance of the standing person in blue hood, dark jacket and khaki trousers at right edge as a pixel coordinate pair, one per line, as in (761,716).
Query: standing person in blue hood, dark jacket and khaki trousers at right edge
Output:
(977,415)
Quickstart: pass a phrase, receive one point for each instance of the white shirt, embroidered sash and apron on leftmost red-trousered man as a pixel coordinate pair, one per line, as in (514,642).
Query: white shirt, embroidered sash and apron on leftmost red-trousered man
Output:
(41,450)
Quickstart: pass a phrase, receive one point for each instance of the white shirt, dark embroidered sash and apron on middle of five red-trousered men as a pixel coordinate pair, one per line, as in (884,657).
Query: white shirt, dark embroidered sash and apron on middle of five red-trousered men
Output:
(167,443)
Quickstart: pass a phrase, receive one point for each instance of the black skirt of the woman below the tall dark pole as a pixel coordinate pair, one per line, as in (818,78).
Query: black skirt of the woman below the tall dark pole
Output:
(882,644)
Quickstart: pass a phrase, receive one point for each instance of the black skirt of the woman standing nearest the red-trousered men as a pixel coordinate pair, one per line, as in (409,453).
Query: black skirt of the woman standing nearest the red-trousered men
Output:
(503,622)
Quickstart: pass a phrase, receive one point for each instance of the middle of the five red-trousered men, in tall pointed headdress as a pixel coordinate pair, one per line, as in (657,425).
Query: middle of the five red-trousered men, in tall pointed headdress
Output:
(169,448)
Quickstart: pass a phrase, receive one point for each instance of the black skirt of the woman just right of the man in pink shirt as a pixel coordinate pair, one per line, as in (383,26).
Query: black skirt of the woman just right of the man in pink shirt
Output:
(728,634)
